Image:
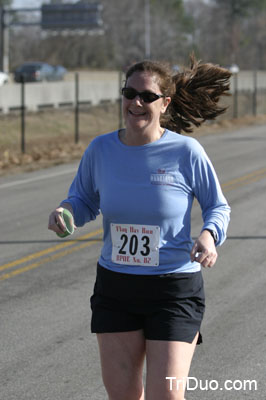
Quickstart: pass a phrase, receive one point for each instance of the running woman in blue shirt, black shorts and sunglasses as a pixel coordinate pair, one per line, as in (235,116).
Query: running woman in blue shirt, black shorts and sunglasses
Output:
(148,300)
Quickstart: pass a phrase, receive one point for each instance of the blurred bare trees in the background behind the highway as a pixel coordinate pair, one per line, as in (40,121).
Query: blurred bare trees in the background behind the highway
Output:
(218,31)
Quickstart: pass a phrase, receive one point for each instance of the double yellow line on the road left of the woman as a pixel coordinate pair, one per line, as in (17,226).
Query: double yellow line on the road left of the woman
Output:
(49,250)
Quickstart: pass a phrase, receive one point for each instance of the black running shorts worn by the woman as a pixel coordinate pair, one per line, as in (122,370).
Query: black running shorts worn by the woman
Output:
(166,307)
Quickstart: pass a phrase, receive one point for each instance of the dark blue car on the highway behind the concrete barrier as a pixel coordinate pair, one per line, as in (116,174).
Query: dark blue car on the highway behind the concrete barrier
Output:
(38,72)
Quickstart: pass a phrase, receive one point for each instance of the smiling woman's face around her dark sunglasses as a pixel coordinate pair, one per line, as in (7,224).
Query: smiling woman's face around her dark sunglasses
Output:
(138,115)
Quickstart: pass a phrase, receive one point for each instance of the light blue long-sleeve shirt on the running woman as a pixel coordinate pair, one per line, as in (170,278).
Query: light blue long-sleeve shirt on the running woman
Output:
(145,194)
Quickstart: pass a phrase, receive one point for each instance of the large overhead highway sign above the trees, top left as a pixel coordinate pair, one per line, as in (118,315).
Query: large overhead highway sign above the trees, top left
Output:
(71,16)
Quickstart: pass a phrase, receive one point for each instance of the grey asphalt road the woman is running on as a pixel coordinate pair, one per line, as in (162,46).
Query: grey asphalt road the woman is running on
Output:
(46,349)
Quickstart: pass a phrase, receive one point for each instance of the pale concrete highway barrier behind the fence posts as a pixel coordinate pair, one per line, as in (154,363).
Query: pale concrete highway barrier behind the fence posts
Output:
(93,88)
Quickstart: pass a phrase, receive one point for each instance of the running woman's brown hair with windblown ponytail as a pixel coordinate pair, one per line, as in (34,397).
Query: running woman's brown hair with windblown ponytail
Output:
(195,92)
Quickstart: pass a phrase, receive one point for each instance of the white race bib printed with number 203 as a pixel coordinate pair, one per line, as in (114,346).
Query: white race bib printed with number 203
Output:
(135,244)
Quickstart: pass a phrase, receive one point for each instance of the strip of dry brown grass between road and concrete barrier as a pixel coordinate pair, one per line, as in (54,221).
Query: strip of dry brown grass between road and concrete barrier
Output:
(50,135)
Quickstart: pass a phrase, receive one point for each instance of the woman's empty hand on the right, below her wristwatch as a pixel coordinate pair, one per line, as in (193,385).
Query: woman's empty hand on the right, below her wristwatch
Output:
(204,250)
